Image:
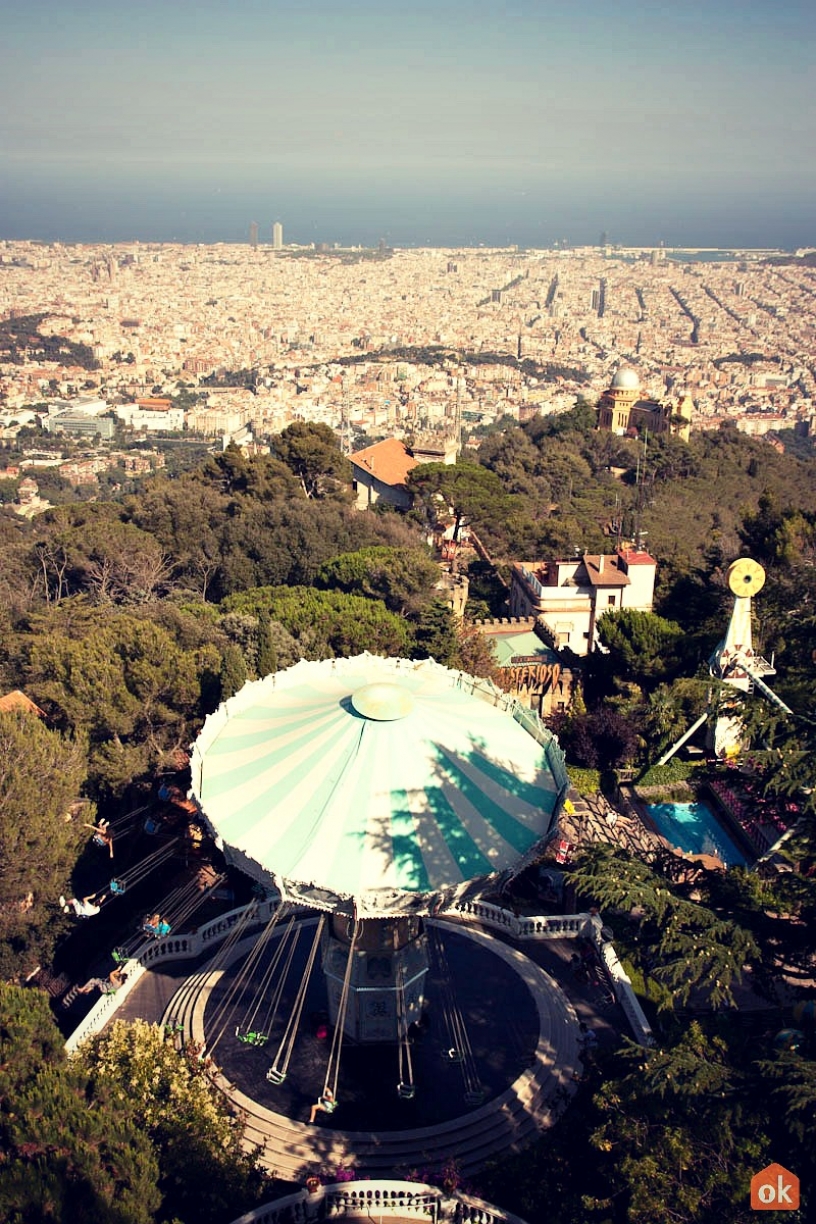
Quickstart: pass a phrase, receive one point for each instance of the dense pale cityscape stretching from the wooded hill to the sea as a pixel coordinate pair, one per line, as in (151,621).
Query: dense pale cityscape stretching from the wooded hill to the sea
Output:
(381,343)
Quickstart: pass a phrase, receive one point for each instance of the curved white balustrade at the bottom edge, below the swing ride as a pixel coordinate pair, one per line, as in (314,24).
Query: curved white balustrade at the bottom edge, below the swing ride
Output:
(376,1201)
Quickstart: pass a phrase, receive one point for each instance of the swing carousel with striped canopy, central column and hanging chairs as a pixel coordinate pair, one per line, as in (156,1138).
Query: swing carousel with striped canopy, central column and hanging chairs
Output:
(303,779)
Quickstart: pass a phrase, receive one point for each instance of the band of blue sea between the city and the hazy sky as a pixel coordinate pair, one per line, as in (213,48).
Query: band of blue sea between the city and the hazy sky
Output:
(161,205)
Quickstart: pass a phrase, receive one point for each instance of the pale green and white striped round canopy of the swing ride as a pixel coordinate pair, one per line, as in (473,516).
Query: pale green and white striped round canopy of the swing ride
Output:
(384,780)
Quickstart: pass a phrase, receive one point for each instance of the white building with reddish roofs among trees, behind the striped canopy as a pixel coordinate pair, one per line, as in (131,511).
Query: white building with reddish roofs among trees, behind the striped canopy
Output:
(568,598)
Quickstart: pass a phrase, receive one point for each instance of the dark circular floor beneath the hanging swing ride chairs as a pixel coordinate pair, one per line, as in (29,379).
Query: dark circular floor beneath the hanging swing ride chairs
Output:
(507,1021)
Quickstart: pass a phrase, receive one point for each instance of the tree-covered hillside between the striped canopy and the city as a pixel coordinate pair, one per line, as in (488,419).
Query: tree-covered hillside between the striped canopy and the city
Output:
(128,621)
